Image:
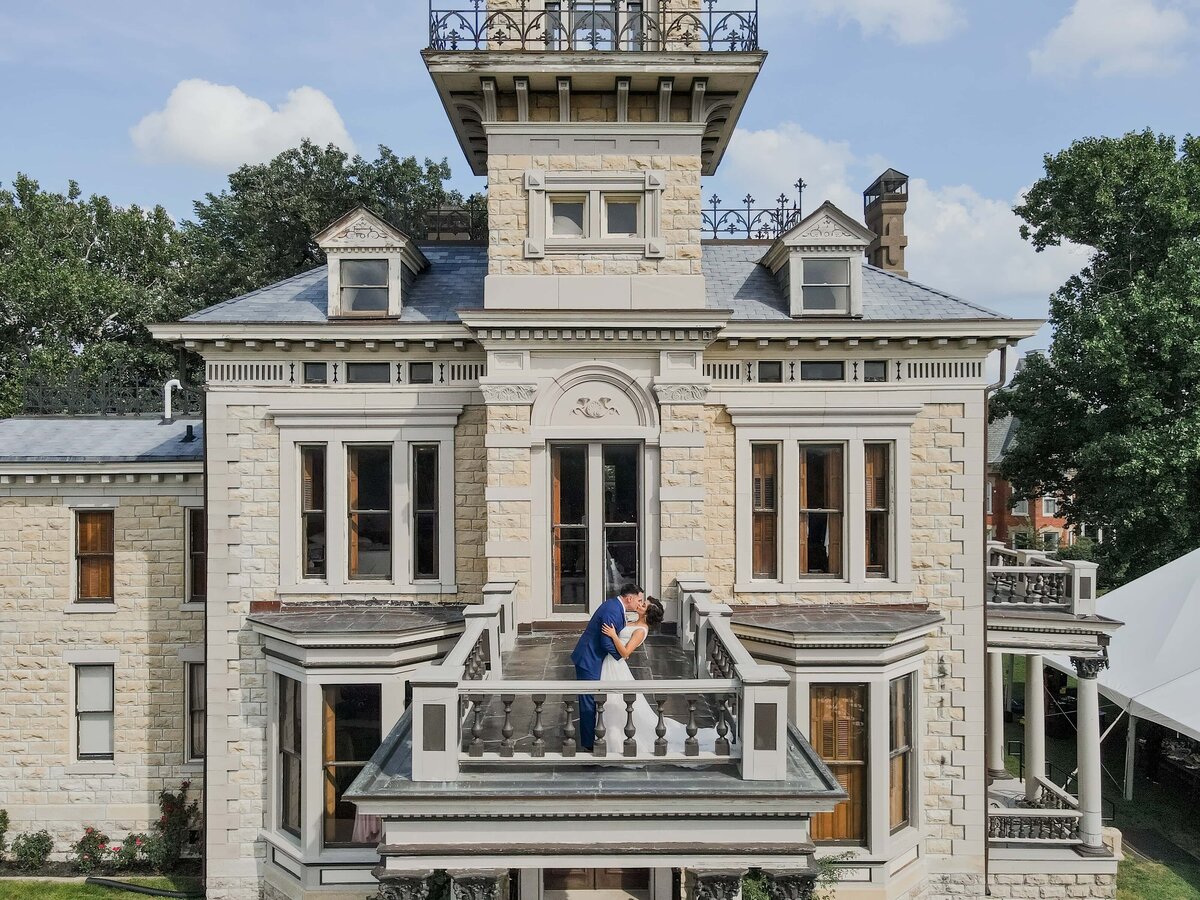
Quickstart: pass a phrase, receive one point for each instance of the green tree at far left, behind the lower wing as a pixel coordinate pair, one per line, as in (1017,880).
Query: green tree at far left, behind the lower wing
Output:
(80,281)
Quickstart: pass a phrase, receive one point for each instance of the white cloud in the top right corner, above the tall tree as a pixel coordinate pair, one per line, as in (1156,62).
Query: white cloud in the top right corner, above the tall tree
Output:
(1108,38)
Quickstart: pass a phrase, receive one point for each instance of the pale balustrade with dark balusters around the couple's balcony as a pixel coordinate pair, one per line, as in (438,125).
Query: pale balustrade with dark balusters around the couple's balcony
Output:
(467,713)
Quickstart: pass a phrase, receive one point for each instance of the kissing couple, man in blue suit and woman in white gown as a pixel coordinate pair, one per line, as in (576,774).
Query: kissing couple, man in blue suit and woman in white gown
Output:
(616,631)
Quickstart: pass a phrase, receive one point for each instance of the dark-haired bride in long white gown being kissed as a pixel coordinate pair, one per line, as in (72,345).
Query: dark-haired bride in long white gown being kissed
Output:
(646,721)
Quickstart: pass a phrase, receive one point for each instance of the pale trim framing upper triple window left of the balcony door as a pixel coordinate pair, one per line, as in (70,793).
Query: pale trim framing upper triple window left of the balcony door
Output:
(337,441)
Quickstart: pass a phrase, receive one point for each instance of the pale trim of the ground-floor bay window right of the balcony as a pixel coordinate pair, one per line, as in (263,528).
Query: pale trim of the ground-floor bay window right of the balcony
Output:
(881,844)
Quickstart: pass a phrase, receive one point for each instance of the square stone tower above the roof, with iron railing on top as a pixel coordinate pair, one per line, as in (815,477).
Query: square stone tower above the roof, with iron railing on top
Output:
(595,122)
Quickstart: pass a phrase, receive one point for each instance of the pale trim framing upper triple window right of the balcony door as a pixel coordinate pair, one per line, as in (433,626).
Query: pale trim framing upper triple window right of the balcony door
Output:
(854,439)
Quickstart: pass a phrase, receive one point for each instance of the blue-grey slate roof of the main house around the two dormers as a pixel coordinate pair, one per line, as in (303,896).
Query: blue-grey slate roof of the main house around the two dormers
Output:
(454,283)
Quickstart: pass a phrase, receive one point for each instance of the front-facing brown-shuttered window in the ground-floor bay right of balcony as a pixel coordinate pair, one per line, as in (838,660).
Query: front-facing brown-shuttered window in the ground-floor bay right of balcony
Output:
(839,736)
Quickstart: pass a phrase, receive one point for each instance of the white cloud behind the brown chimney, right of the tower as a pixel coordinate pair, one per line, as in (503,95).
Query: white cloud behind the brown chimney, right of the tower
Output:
(959,241)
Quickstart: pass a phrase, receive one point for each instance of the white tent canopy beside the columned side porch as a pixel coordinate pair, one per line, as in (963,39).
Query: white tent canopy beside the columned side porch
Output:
(1155,658)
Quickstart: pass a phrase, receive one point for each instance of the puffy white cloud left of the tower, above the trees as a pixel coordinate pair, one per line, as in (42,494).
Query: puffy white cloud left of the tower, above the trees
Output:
(219,125)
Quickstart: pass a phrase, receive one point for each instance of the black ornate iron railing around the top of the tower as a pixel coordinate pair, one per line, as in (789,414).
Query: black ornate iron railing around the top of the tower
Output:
(604,26)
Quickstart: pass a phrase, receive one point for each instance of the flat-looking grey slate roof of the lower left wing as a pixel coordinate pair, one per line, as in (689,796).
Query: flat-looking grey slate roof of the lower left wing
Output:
(100,440)
